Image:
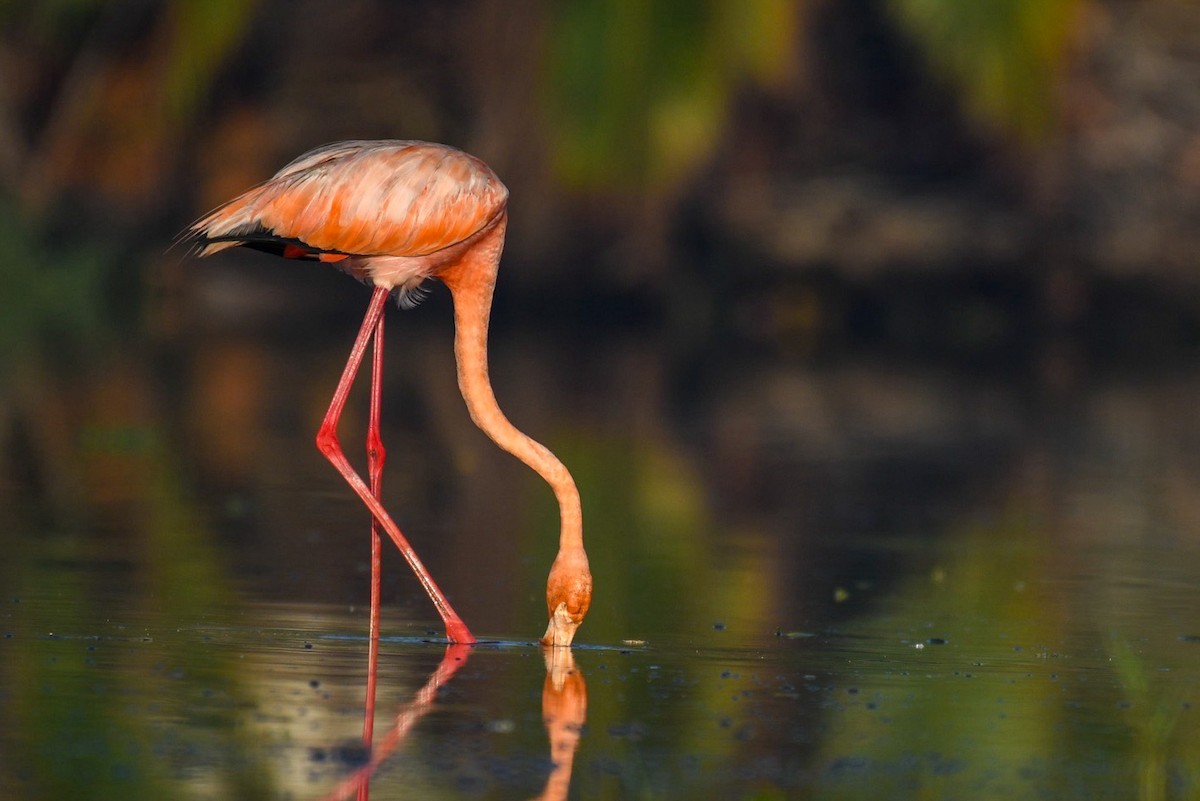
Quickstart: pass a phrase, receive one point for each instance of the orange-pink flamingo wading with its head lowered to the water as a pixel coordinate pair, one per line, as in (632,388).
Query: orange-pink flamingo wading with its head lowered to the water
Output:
(395,214)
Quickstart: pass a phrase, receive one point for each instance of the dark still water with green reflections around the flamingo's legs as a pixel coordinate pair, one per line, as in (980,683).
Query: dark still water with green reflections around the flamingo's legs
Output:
(815,580)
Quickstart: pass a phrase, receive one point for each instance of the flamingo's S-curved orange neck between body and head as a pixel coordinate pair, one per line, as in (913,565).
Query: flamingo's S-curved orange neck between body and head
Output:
(472,284)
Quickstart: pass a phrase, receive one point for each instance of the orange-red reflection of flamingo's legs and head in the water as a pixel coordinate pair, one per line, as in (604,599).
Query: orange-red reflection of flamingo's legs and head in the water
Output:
(565,707)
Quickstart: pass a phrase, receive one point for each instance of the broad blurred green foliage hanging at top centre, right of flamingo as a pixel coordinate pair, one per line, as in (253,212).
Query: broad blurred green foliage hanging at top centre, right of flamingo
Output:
(640,91)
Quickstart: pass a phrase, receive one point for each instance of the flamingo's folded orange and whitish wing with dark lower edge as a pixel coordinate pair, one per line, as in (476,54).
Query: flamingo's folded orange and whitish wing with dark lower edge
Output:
(362,198)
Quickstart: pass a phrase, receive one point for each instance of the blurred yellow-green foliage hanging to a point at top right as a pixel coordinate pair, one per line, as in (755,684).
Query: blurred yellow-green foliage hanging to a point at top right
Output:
(1004,57)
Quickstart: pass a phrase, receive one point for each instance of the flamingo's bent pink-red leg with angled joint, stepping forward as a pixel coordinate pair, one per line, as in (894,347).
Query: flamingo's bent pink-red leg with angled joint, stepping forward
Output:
(328,444)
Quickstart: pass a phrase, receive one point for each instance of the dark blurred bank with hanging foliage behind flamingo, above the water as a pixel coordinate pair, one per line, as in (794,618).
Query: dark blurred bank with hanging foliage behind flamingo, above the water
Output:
(961,179)
